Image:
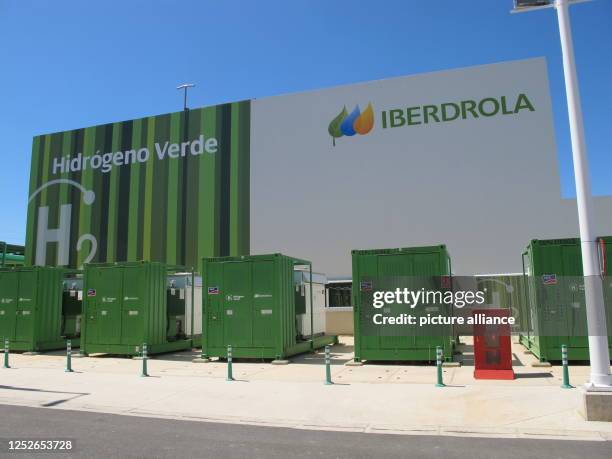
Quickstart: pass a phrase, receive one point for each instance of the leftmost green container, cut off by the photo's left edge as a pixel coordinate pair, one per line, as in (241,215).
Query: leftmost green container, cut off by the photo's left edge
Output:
(34,315)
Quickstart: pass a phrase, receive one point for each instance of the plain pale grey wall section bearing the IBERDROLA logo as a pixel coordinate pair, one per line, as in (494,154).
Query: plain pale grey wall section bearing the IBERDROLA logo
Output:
(483,186)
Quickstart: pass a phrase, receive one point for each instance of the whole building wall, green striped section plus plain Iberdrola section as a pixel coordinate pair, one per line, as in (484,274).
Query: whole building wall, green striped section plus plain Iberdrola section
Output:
(288,175)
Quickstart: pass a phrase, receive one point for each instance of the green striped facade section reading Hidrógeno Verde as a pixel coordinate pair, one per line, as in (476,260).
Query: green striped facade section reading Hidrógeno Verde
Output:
(175,210)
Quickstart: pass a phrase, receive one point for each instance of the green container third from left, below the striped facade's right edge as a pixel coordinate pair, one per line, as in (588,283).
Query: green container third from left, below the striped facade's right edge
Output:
(249,302)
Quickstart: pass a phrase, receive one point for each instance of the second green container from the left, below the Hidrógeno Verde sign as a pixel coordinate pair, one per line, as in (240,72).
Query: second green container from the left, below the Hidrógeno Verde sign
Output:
(126,305)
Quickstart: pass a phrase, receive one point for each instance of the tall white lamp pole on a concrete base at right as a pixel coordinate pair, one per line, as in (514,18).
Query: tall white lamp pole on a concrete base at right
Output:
(593,288)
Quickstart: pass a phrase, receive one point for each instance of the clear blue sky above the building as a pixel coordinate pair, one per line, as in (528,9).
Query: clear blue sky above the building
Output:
(70,64)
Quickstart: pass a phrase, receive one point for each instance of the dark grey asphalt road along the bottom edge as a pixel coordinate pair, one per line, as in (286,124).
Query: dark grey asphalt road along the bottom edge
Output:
(107,436)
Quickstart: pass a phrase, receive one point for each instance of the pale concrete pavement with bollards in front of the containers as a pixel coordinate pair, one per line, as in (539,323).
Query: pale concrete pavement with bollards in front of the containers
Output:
(379,398)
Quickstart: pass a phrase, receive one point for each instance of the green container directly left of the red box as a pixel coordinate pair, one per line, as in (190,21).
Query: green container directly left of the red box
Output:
(412,264)
